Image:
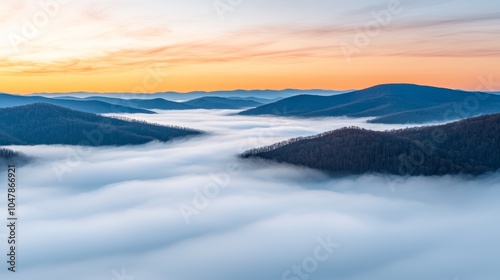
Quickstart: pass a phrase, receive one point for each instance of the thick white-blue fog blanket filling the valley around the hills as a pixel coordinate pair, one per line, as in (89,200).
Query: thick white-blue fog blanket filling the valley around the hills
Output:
(190,210)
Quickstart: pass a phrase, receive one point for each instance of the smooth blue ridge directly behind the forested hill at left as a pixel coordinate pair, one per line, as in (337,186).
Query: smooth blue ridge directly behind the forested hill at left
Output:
(90,106)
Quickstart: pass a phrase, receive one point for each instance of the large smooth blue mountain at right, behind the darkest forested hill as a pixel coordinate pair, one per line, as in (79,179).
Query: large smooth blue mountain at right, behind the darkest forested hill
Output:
(392,104)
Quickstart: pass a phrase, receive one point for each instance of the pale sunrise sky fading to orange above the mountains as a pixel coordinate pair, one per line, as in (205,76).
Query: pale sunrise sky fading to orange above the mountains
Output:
(170,45)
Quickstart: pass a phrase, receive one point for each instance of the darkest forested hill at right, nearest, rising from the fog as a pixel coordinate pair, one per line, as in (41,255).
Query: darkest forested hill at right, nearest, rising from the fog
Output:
(470,146)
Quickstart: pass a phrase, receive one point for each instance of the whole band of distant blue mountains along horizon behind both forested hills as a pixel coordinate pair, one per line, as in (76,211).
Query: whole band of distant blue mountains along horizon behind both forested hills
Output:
(389,103)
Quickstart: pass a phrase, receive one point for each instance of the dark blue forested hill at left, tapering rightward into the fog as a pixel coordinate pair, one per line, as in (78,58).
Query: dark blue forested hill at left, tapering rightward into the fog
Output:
(42,123)
